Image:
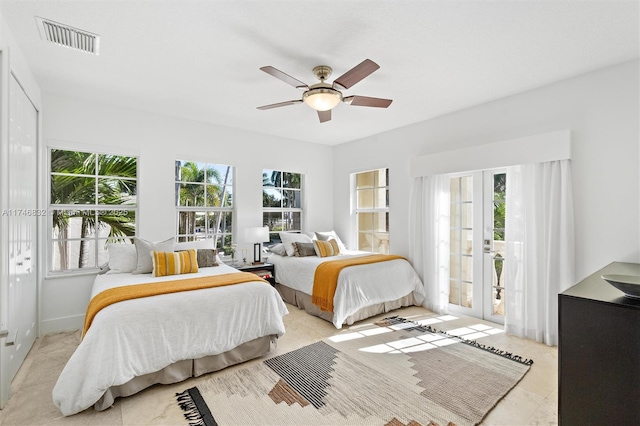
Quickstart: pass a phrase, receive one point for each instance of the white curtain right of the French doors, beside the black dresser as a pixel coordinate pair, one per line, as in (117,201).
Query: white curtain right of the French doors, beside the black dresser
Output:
(539,258)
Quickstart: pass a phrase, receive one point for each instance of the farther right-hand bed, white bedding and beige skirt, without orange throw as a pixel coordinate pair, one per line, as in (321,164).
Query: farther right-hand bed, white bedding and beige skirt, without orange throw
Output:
(362,291)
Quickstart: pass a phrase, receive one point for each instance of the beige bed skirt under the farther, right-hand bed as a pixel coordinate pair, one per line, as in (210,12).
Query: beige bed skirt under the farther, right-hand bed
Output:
(303,301)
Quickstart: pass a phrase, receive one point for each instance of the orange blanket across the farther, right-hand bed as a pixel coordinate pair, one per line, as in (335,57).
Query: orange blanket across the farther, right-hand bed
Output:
(325,280)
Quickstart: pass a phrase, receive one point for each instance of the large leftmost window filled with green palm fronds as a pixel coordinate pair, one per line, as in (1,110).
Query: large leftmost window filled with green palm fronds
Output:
(92,201)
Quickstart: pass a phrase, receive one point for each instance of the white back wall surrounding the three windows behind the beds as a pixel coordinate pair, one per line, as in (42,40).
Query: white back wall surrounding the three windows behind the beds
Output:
(159,141)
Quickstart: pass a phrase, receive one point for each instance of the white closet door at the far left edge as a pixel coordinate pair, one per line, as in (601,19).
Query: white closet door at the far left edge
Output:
(20,305)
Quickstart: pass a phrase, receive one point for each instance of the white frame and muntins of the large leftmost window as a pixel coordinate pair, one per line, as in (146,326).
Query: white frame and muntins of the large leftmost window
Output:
(96,207)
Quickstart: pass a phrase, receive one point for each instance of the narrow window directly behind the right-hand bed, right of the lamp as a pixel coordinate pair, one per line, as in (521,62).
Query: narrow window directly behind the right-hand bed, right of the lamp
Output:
(281,202)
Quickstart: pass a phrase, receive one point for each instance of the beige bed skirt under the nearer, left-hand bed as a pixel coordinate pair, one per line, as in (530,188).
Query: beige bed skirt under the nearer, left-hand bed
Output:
(186,369)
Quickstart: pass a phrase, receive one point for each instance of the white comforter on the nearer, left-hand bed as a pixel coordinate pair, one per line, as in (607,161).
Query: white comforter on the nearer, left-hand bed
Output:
(141,336)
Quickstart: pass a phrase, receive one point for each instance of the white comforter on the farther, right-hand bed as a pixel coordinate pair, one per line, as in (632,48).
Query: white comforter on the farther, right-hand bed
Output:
(358,286)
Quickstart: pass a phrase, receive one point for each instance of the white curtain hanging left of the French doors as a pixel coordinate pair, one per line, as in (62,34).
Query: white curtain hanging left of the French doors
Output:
(429,238)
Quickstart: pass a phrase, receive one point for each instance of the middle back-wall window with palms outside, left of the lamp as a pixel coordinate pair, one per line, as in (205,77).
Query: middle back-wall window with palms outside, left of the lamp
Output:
(204,202)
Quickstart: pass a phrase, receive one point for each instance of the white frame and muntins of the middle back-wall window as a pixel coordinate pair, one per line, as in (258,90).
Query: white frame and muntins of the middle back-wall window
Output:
(219,238)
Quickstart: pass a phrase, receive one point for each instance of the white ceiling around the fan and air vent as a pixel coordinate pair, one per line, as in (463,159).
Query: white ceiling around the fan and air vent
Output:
(200,59)
